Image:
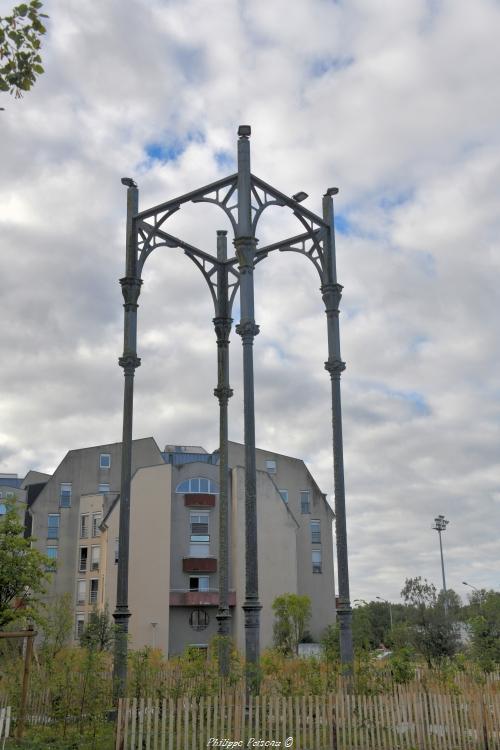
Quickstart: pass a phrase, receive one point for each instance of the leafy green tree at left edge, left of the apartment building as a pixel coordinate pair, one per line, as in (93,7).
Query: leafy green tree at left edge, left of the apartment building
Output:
(22,570)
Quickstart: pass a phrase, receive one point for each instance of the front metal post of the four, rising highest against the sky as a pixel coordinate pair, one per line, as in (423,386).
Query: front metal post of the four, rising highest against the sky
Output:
(245,246)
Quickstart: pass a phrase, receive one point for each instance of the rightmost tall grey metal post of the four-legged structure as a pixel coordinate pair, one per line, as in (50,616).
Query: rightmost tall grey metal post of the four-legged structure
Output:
(332,293)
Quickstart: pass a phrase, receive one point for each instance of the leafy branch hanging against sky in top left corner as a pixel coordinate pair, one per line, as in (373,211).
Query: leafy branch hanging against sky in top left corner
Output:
(20,34)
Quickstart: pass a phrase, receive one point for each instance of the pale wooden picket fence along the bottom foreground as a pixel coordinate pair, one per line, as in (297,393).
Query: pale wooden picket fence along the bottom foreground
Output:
(405,719)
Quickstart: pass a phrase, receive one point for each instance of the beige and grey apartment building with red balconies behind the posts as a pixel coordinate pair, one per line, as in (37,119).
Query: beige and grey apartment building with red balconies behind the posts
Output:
(174,527)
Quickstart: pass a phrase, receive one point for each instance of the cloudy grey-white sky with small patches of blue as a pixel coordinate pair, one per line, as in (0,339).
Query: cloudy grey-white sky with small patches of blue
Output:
(397,104)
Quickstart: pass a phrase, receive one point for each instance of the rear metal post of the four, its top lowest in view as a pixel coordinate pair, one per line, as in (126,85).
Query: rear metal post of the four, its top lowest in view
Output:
(222,325)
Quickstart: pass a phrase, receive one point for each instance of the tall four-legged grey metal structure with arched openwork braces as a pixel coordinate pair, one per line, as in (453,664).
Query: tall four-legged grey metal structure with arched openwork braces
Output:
(243,198)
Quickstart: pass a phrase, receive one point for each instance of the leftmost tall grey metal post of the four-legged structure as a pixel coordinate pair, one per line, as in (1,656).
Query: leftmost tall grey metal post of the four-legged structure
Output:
(131,287)
